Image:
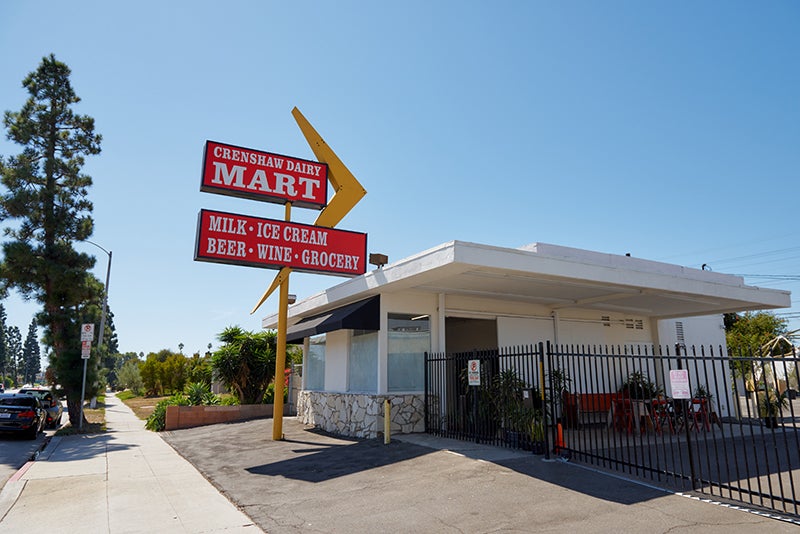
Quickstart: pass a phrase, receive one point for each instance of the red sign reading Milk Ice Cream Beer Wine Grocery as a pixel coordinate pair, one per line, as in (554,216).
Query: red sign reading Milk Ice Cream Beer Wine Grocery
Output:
(256,242)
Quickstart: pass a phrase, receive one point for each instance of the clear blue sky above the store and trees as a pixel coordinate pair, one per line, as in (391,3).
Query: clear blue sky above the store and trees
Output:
(669,130)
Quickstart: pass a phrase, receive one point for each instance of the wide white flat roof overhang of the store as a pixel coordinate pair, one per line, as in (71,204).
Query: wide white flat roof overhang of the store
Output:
(555,277)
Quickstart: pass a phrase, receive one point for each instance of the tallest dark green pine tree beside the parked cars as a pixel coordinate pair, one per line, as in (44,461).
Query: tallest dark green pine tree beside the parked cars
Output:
(47,197)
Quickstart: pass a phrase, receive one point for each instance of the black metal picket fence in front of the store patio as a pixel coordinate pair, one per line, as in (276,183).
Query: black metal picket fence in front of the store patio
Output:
(697,420)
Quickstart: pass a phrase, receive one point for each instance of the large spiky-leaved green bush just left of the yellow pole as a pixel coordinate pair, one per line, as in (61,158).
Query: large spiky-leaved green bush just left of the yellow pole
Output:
(245,363)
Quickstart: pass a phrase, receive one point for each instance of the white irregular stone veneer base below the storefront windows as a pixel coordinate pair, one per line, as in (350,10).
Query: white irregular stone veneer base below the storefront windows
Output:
(360,415)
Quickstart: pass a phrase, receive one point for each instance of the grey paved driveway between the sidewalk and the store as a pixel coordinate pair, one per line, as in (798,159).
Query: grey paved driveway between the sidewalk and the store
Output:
(313,482)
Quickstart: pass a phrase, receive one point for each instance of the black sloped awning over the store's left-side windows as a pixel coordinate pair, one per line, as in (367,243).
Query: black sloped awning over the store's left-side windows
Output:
(361,315)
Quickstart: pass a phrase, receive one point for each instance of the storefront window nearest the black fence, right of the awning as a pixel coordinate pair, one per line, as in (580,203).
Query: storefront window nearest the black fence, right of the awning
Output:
(409,340)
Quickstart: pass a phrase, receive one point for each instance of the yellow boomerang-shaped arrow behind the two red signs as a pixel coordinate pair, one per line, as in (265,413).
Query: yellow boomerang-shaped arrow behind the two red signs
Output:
(347,191)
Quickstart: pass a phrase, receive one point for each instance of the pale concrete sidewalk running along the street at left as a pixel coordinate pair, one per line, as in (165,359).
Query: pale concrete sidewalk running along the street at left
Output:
(126,480)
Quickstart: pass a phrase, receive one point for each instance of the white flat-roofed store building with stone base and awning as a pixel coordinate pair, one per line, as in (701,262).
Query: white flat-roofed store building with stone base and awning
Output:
(364,339)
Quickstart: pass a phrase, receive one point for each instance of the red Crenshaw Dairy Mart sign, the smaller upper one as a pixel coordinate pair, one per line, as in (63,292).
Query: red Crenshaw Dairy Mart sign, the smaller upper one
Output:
(244,172)
